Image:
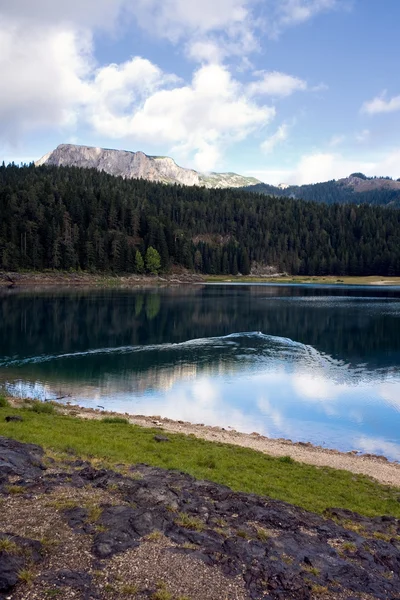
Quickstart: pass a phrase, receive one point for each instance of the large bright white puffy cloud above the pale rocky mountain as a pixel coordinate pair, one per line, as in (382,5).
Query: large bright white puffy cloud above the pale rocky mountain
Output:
(200,118)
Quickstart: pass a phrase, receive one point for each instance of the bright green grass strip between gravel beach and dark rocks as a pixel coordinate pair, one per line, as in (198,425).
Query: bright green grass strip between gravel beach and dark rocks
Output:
(242,469)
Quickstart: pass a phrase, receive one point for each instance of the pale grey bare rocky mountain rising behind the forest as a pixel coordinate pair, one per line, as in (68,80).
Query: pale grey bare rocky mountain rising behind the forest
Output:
(136,165)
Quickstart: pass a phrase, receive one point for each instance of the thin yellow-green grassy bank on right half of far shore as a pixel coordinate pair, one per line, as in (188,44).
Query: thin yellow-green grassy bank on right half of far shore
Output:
(327,280)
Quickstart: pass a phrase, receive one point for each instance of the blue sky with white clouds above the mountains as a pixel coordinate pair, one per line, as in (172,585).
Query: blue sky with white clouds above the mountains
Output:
(287,91)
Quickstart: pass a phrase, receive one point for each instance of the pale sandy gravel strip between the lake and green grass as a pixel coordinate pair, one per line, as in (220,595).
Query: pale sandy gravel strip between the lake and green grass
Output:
(375,466)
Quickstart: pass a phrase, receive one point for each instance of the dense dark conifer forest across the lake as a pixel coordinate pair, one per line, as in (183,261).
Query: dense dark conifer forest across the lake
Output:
(70,218)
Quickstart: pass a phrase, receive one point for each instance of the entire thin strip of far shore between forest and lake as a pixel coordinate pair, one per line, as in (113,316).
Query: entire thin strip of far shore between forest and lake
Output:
(16,280)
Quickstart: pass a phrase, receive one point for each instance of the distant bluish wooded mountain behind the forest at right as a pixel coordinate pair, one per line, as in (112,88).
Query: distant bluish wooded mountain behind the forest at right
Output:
(356,189)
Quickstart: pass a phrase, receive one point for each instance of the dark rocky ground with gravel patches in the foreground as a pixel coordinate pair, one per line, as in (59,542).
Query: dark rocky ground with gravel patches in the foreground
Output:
(72,530)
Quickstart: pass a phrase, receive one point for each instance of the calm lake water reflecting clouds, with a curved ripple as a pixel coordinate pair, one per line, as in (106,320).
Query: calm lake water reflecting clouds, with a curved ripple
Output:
(319,364)
